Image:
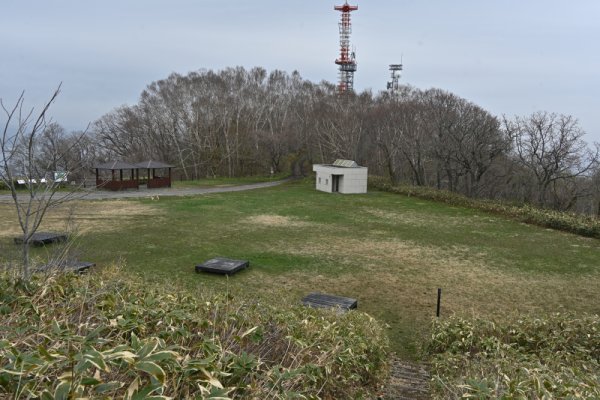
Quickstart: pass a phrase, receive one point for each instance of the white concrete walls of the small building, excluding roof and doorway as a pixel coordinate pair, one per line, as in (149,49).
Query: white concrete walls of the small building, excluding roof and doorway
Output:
(353,180)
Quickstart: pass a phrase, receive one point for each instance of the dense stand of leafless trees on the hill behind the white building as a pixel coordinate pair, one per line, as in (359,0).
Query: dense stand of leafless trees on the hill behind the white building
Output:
(238,122)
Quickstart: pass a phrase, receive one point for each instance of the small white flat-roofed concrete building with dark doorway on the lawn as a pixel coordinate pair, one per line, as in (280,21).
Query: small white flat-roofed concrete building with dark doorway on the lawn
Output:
(343,176)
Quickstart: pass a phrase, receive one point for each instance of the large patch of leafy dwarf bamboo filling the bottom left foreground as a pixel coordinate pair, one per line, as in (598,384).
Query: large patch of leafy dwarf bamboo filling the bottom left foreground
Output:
(98,336)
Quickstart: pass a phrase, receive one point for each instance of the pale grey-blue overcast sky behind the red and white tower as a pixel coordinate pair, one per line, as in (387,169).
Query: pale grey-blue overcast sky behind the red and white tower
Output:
(511,57)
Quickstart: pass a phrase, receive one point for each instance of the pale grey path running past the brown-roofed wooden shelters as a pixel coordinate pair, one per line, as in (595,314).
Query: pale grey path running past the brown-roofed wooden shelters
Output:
(93,194)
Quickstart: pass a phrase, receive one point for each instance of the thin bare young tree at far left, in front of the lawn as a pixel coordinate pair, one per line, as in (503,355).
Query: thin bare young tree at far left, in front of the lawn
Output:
(32,180)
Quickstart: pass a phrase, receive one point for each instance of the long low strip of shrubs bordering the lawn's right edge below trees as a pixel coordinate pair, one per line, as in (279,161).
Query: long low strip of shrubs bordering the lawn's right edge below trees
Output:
(569,222)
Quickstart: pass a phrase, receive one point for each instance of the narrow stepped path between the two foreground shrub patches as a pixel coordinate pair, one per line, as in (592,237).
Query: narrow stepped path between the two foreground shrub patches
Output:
(407,381)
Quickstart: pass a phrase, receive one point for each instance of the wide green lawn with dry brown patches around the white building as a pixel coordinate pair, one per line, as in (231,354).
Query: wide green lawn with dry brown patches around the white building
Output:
(391,252)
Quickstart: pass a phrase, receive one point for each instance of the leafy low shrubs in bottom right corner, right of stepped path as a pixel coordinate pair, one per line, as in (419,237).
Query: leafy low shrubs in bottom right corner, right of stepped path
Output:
(554,356)
